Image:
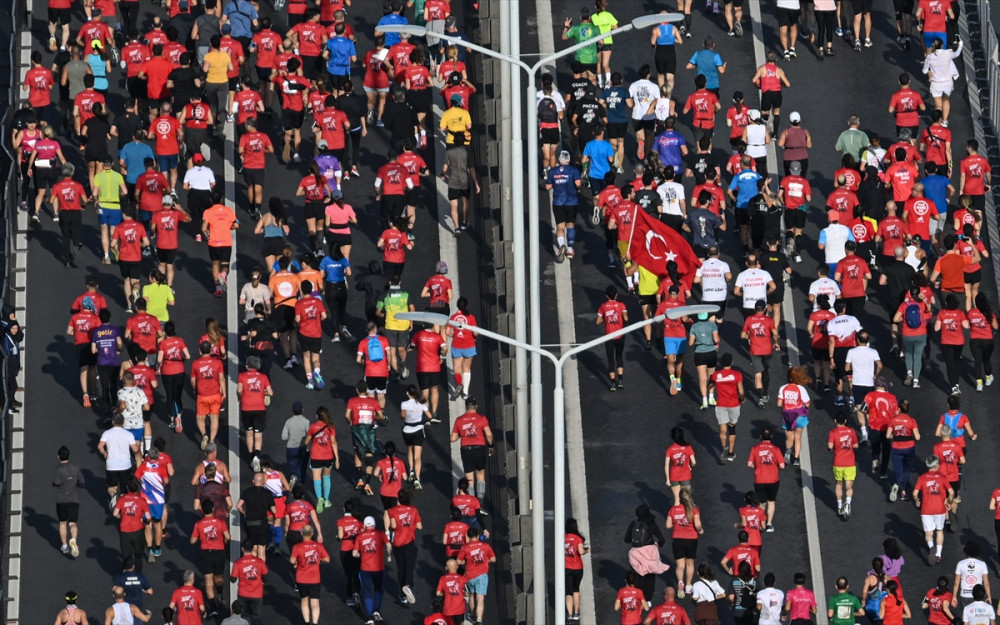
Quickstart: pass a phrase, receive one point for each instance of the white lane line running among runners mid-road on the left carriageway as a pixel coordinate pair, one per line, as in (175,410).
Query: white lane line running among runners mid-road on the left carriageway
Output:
(233,348)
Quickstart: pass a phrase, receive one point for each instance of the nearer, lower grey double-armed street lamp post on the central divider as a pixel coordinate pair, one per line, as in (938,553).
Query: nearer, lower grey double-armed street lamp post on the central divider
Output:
(558,432)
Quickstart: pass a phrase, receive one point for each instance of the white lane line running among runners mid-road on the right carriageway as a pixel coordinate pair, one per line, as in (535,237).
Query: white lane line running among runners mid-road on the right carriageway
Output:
(818,583)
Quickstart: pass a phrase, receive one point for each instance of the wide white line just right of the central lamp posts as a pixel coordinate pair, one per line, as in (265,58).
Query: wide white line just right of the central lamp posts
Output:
(575,461)
